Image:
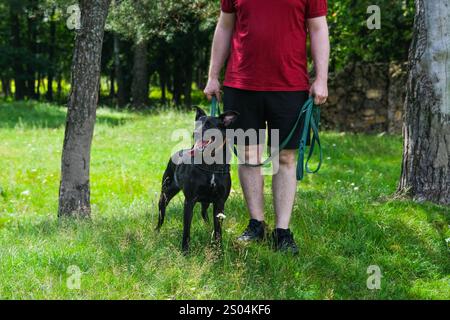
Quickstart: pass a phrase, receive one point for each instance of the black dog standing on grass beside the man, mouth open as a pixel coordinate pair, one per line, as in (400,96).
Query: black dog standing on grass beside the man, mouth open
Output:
(200,181)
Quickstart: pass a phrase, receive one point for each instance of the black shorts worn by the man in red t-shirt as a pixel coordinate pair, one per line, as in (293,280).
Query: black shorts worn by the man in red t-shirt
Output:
(276,109)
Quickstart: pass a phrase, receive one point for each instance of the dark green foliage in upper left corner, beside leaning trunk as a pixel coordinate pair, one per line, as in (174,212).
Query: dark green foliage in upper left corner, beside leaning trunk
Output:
(33,30)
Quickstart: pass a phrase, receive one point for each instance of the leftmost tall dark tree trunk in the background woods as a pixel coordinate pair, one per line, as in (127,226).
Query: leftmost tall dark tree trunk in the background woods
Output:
(17,65)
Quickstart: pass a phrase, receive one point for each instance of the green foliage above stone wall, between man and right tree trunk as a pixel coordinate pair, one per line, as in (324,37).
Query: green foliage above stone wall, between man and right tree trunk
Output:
(352,40)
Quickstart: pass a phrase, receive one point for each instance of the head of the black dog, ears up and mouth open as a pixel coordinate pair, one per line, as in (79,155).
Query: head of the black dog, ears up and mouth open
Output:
(208,129)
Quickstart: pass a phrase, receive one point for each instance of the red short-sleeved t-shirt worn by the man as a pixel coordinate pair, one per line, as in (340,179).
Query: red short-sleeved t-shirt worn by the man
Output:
(268,49)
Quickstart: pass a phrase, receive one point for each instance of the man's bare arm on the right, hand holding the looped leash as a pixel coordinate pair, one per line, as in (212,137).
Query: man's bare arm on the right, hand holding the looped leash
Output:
(320,49)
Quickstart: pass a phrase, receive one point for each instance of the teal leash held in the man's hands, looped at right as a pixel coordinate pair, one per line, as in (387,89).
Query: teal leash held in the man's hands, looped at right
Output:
(311,123)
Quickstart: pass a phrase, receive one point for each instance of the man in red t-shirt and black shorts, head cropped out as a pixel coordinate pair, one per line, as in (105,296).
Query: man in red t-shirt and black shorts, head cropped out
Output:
(267,82)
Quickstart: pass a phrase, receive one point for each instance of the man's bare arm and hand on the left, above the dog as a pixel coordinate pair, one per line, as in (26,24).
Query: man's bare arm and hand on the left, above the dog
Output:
(219,53)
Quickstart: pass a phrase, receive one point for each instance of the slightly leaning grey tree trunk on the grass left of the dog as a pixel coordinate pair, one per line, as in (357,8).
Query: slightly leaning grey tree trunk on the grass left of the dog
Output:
(74,193)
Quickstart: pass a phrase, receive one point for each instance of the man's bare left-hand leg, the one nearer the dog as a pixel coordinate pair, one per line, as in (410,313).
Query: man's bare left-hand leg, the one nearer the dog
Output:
(252,182)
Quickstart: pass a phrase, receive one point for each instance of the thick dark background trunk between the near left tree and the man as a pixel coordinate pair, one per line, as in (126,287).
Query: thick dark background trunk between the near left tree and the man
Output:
(140,86)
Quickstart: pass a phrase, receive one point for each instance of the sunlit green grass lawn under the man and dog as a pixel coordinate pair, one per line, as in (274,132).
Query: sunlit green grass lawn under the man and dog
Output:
(345,219)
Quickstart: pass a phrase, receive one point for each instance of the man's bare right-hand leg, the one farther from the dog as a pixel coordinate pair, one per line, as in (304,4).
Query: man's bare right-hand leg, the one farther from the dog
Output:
(284,187)
